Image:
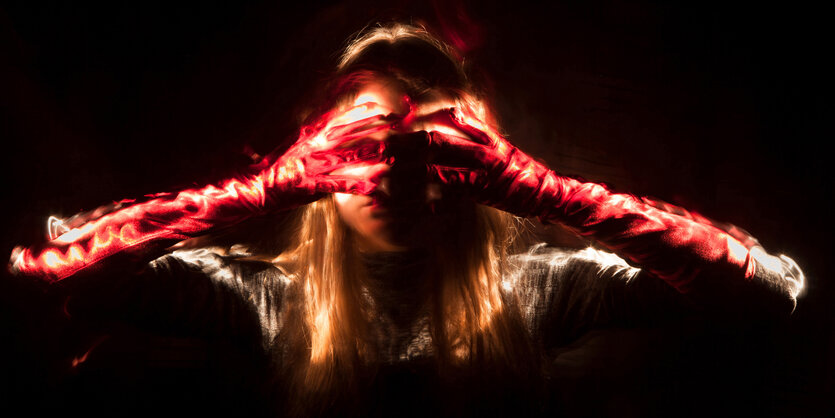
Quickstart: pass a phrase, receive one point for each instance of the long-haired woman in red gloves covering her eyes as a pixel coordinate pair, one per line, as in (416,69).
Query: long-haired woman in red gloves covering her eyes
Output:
(408,202)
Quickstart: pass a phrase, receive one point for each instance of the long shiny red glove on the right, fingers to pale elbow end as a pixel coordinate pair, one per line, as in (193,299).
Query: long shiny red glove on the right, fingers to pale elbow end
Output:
(672,244)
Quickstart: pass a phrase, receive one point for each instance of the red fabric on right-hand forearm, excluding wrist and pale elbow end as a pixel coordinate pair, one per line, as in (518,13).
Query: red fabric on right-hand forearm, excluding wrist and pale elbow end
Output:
(669,246)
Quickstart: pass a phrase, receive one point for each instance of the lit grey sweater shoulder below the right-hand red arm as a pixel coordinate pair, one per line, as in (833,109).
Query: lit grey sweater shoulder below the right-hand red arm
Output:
(565,292)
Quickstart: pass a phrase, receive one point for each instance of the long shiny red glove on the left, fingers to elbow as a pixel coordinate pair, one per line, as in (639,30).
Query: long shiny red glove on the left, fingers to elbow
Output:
(297,177)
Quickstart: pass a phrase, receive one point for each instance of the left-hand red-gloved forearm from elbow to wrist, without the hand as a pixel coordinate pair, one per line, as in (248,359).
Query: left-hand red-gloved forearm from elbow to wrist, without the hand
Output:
(141,230)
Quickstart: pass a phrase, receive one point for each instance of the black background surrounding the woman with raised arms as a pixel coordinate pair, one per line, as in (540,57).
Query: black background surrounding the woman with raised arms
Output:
(715,107)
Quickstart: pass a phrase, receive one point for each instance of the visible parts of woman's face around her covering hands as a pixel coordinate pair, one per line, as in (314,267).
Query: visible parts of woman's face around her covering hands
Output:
(396,215)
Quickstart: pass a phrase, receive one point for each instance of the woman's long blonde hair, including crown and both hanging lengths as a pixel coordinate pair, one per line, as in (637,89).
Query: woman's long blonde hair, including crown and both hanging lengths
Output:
(472,321)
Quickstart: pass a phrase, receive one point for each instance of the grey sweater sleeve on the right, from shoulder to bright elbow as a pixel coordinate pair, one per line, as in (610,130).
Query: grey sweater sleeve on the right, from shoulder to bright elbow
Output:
(564,293)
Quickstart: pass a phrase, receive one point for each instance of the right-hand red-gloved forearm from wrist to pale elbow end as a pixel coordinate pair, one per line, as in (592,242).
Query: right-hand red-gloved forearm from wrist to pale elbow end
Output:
(687,251)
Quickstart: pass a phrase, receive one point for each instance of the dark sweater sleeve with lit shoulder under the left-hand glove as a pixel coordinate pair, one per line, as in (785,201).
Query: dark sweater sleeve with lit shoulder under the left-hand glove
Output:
(197,292)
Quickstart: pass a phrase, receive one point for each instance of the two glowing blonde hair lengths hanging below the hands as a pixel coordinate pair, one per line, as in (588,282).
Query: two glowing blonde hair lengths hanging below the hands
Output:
(472,321)
